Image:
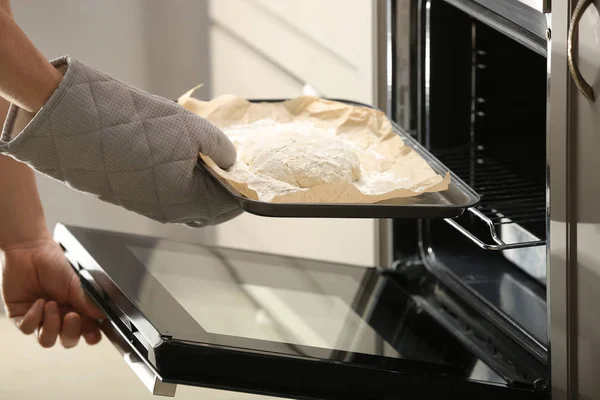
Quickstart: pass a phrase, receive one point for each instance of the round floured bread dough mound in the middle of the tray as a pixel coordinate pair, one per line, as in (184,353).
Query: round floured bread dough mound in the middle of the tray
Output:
(302,160)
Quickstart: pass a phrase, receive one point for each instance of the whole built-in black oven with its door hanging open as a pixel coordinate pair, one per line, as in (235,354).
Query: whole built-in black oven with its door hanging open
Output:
(455,307)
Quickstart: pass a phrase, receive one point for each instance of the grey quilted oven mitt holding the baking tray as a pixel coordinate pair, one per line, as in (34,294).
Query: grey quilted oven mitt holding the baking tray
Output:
(125,146)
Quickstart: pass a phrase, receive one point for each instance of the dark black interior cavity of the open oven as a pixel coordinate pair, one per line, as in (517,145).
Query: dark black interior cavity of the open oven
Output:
(481,101)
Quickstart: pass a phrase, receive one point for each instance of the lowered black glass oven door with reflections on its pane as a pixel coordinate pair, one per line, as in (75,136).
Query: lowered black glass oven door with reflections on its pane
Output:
(220,318)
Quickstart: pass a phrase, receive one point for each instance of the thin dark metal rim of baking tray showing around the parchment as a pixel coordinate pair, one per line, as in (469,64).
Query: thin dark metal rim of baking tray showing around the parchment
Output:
(447,204)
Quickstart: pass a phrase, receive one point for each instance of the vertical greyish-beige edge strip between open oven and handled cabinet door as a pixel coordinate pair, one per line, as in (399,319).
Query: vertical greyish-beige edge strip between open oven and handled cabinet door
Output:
(562,250)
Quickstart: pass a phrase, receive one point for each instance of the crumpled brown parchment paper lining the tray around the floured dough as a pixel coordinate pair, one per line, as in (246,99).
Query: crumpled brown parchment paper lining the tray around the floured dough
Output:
(363,125)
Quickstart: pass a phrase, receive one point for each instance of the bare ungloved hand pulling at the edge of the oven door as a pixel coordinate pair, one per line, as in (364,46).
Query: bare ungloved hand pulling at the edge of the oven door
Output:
(43,295)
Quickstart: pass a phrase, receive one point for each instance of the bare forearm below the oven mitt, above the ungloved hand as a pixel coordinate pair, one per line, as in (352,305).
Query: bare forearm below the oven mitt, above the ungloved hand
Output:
(21,213)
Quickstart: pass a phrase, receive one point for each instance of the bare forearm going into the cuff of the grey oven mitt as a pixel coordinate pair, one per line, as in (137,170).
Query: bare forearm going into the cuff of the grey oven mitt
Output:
(26,77)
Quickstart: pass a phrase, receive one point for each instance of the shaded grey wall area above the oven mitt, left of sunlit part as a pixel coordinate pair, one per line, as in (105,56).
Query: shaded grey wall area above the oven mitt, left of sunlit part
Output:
(158,46)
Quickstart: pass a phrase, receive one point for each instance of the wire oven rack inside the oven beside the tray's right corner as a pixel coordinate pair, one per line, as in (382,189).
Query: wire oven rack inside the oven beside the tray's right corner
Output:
(512,194)
